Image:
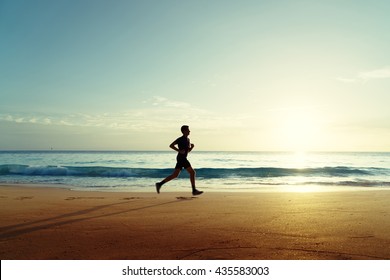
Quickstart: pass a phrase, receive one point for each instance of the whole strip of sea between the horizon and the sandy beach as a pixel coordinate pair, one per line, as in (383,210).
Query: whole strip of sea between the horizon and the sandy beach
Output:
(215,171)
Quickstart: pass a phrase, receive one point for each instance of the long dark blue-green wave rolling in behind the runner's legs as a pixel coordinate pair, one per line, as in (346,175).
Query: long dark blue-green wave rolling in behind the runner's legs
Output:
(206,173)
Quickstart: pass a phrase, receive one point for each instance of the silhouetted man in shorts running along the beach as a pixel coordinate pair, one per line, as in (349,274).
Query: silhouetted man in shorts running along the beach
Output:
(183,148)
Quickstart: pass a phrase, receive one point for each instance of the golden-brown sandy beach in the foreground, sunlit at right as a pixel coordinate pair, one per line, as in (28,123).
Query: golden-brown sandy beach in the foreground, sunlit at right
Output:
(55,223)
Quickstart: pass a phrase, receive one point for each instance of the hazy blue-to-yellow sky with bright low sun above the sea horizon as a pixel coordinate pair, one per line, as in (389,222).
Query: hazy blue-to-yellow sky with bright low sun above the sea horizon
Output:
(245,75)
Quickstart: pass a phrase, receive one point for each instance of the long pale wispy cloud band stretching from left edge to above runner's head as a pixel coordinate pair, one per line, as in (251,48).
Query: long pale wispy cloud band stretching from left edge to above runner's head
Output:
(159,115)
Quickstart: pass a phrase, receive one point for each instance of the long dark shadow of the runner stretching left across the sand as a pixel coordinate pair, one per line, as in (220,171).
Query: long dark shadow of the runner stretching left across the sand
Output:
(73,217)
